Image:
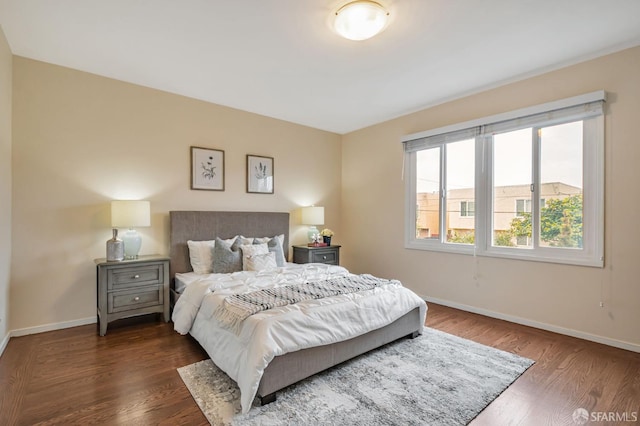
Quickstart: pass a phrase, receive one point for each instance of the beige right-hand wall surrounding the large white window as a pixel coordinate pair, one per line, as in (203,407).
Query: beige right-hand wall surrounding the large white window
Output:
(563,297)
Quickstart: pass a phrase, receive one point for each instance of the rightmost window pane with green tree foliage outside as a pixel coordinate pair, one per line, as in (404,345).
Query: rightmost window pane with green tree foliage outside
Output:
(561,172)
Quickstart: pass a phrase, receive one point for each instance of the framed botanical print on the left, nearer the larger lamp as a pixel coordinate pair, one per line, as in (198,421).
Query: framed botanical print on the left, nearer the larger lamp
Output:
(207,169)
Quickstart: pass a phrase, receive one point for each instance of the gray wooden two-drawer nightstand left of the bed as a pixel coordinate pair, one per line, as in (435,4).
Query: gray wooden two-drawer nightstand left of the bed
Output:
(132,287)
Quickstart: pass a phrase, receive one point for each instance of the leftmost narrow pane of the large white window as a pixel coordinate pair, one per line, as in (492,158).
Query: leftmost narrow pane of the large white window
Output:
(428,193)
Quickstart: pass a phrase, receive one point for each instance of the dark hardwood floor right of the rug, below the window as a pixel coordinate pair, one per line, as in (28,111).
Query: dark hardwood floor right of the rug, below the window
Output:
(569,373)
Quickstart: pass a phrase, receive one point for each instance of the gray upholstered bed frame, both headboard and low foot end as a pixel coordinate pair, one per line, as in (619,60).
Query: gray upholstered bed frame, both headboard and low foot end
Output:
(290,368)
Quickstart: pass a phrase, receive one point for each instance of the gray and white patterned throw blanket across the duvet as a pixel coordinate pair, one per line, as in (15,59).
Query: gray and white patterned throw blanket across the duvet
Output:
(238,307)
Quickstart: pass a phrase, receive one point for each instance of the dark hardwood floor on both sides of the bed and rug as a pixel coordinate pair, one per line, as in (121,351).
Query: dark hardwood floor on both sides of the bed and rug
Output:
(128,377)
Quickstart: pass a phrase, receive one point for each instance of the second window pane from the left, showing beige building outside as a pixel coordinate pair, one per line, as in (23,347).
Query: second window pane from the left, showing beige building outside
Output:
(460,172)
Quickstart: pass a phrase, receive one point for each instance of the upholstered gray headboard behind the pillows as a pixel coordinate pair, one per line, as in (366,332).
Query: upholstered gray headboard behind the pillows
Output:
(207,225)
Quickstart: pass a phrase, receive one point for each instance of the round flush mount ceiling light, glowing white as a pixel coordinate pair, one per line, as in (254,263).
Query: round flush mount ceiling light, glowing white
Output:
(360,20)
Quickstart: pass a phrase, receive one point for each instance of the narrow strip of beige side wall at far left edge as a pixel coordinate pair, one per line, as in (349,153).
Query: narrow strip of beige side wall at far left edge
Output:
(5,185)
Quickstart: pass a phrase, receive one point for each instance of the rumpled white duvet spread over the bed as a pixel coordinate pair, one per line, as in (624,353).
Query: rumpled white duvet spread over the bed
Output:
(265,335)
